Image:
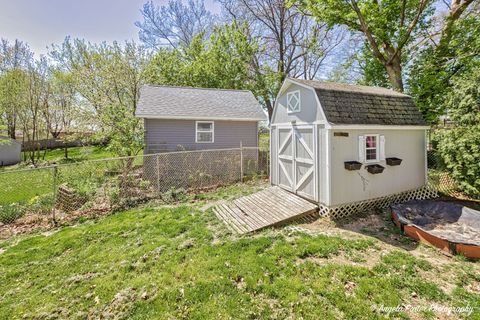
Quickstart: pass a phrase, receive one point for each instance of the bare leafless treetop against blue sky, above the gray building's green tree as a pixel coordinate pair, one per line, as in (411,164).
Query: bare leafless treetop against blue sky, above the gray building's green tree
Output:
(175,24)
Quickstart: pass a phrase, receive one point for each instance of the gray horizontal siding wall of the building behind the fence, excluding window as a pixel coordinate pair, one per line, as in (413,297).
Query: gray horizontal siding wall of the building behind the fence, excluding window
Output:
(170,135)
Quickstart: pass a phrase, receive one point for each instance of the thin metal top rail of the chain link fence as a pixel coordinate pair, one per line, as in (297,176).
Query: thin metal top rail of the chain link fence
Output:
(120,159)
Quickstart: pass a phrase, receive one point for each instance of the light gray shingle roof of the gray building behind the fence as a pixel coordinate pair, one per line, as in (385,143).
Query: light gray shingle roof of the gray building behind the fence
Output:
(184,102)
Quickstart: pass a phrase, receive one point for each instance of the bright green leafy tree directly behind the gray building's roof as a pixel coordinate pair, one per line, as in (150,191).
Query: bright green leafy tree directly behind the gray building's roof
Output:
(222,61)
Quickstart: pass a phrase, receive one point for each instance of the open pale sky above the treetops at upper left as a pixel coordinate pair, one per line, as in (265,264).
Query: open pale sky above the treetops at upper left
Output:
(43,22)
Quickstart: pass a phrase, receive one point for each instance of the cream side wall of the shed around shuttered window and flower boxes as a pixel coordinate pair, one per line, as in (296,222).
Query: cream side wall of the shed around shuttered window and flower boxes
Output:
(350,186)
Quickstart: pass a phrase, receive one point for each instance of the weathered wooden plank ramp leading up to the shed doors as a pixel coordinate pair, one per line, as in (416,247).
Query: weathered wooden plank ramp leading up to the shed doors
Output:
(270,207)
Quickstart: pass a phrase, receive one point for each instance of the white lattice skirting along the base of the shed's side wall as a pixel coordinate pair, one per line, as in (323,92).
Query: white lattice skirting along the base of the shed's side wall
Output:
(345,210)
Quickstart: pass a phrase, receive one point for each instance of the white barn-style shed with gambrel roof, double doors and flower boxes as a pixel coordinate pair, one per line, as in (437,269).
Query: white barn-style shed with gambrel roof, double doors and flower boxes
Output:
(343,146)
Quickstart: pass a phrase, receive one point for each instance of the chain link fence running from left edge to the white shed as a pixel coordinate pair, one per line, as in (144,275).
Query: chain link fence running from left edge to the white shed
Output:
(41,197)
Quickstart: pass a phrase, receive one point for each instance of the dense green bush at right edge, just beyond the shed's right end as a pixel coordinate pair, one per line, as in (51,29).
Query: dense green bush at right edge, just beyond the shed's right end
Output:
(459,149)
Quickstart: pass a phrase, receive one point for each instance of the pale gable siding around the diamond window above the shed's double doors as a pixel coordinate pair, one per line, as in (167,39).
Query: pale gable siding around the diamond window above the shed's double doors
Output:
(309,111)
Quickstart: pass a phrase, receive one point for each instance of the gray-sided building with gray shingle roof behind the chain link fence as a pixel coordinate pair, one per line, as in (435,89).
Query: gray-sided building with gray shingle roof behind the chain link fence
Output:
(182,118)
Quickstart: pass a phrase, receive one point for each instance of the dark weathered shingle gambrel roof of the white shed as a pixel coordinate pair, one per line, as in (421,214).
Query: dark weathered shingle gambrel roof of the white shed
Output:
(353,104)
